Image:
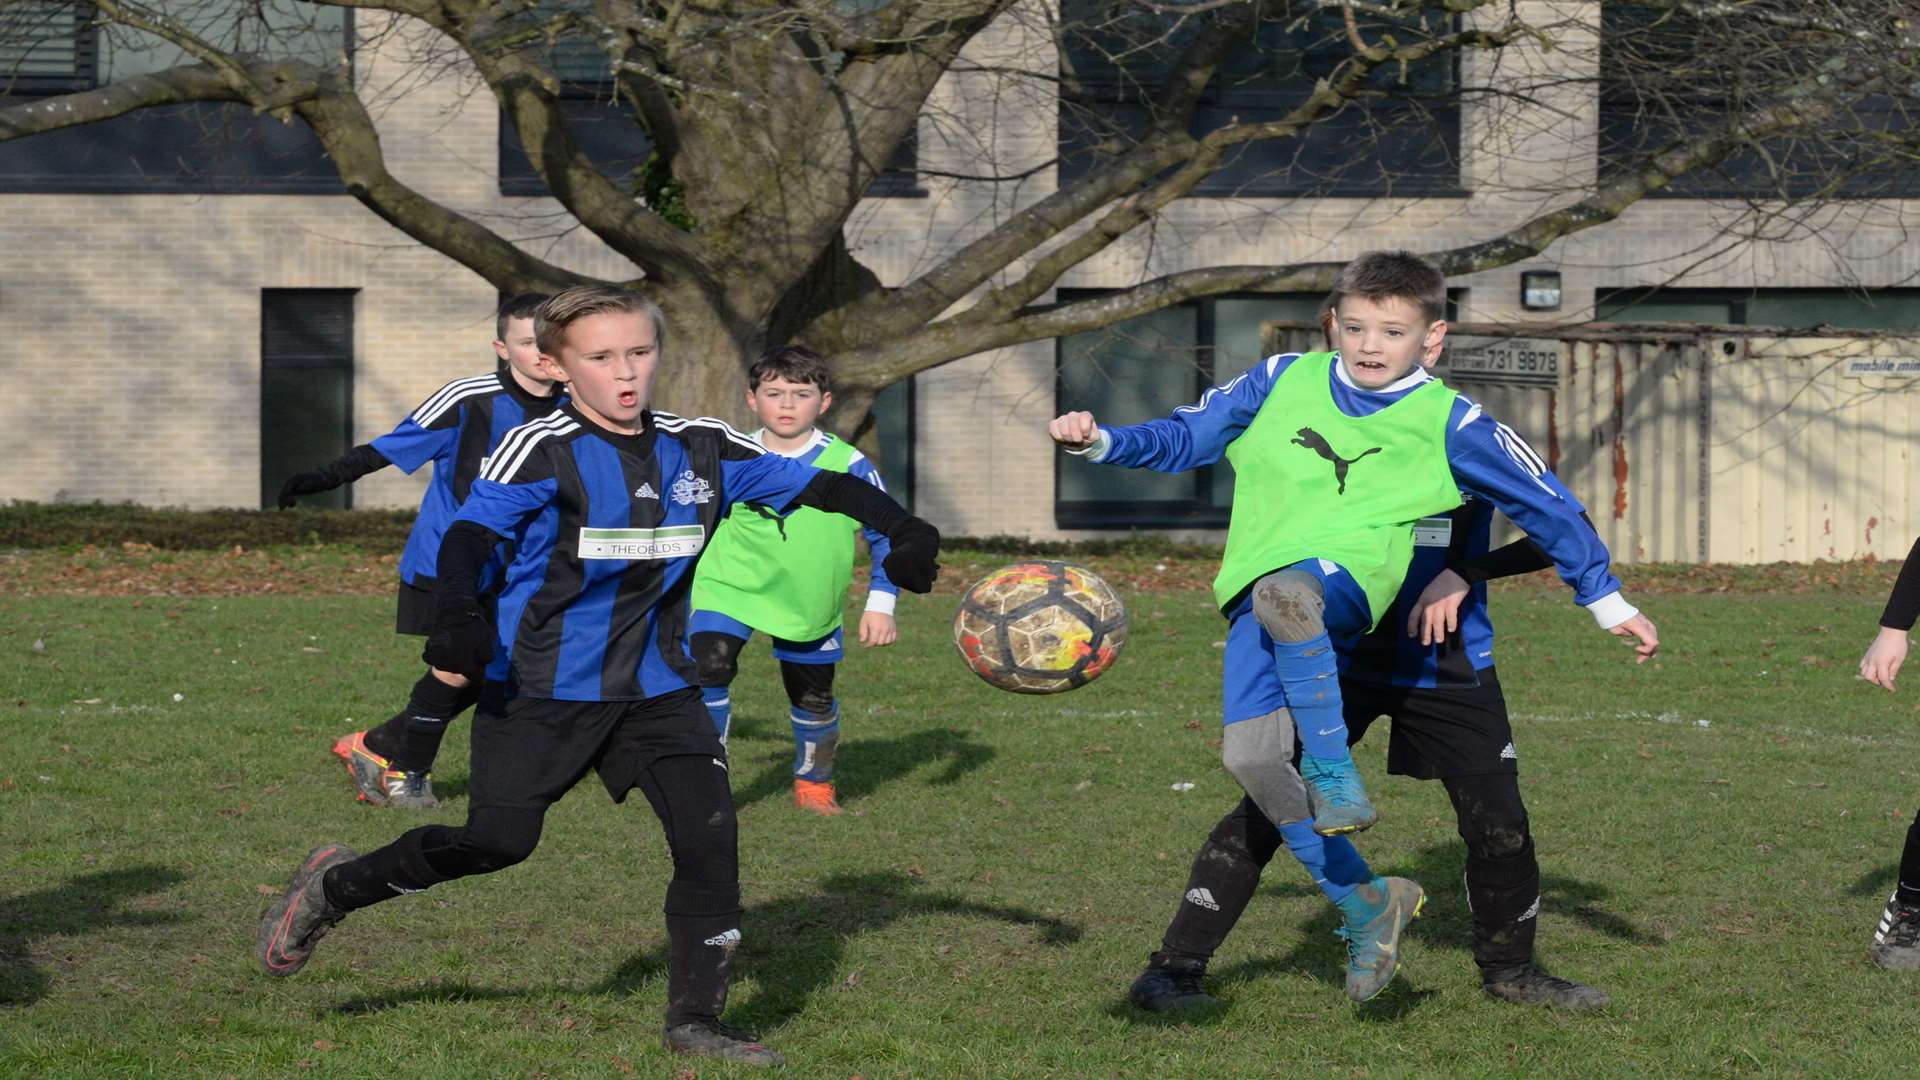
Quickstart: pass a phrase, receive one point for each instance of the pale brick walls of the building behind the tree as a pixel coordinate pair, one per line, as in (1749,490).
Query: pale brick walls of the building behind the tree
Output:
(191,303)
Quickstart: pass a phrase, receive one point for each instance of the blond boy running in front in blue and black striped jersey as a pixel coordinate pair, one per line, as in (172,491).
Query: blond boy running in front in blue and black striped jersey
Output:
(608,506)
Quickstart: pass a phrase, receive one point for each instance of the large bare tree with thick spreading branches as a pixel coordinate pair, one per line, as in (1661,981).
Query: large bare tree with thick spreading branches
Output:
(771,124)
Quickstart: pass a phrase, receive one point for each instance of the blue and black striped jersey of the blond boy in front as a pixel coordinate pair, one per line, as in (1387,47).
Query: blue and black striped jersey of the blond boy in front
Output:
(606,533)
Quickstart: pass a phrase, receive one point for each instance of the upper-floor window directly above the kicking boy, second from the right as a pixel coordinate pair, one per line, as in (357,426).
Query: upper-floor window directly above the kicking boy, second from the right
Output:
(1116,55)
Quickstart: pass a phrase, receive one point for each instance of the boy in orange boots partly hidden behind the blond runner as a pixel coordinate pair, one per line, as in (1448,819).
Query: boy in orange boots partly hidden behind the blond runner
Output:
(454,430)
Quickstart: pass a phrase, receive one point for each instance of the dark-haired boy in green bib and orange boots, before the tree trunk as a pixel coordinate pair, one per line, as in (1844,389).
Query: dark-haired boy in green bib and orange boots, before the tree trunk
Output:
(788,577)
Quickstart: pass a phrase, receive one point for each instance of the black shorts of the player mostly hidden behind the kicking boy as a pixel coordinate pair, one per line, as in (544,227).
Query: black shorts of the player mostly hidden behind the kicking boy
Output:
(1437,733)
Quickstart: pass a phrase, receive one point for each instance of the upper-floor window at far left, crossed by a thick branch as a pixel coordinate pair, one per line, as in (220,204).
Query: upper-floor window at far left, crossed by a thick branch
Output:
(206,147)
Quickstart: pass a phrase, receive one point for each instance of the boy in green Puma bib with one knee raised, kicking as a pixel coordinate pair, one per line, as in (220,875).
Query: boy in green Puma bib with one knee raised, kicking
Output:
(1337,454)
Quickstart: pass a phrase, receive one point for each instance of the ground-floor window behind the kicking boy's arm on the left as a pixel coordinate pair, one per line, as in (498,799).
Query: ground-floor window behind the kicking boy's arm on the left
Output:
(1143,370)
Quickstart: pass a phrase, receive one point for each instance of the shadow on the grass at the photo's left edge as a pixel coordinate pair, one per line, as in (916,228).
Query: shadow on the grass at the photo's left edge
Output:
(82,906)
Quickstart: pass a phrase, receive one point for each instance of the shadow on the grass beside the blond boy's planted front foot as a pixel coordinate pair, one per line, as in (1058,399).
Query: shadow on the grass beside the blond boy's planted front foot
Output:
(794,946)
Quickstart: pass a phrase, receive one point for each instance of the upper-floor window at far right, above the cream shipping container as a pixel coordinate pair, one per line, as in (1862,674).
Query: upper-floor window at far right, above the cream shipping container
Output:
(1668,76)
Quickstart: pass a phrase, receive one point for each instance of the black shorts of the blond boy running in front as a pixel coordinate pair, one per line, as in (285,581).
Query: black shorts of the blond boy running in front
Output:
(529,752)
